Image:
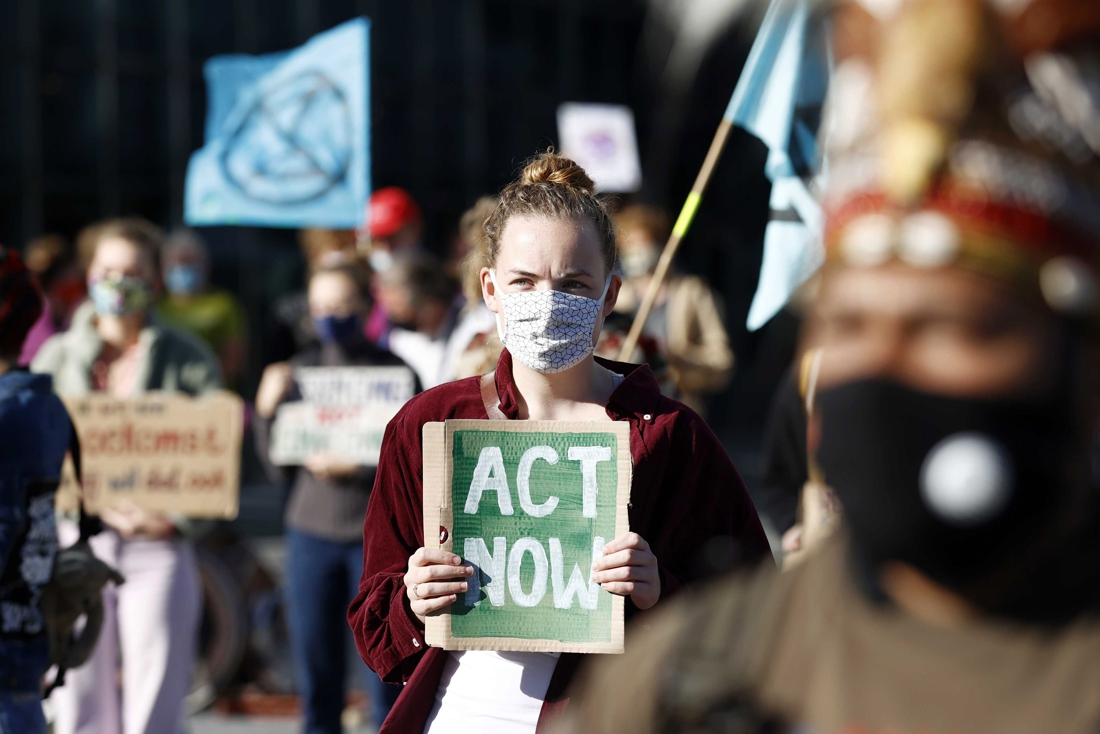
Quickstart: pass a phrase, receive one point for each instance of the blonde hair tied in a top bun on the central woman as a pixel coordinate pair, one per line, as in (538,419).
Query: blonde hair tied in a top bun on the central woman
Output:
(554,187)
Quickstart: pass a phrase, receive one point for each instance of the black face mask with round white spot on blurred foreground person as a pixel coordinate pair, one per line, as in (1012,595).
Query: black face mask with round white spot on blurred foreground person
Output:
(974,494)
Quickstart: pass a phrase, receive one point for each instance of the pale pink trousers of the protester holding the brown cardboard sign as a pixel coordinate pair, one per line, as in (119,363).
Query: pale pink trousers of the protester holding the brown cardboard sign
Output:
(139,675)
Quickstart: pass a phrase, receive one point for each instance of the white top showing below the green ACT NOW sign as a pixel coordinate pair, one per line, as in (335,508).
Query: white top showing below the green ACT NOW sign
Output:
(488,693)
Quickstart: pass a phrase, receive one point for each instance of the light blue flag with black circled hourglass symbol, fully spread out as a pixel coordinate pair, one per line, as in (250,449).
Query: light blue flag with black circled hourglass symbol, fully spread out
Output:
(288,137)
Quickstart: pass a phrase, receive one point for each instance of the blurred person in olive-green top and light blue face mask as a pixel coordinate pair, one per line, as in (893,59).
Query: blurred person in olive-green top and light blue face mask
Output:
(191,304)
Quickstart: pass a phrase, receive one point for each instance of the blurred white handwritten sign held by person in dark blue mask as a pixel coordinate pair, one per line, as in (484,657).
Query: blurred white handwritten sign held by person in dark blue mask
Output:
(344,411)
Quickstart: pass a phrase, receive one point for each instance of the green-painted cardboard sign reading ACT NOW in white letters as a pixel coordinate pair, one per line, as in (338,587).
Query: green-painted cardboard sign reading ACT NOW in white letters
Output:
(530,505)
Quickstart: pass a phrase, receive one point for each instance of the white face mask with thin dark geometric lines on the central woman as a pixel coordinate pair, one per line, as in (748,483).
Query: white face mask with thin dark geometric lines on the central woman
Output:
(548,331)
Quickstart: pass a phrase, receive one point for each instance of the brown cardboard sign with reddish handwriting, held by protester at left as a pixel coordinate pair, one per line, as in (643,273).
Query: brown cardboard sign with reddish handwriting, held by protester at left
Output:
(163,452)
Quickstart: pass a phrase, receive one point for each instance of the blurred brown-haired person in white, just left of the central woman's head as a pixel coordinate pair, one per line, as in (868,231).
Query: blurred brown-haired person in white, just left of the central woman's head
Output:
(475,347)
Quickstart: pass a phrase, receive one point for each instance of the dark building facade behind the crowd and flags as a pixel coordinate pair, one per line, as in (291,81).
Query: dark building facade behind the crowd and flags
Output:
(103,102)
